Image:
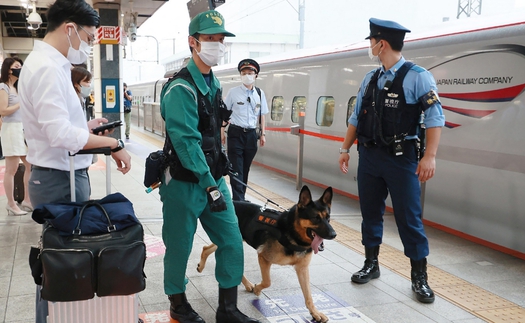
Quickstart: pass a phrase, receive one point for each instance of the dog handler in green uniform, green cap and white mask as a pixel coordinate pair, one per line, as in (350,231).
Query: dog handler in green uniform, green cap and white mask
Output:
(193,186)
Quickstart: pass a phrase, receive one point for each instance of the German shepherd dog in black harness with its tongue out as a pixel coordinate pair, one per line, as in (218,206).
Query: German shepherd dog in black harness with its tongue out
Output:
(286,238)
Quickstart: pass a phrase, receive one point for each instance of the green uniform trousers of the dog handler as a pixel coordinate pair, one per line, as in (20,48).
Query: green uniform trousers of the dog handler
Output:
(183,204)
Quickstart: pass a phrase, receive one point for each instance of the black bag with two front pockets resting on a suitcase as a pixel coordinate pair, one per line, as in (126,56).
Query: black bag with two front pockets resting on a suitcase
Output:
(76,266)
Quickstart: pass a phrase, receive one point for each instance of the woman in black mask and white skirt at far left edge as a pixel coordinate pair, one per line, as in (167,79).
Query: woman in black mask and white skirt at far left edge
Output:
(12,135)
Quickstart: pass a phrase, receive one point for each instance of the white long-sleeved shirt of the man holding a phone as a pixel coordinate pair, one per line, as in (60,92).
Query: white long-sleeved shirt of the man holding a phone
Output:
(53,118)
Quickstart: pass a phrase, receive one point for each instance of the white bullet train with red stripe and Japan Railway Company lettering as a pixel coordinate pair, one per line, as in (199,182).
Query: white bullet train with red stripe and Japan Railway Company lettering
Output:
(478,191)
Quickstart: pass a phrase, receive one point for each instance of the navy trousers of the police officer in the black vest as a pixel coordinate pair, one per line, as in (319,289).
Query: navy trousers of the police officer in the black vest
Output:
(379,173)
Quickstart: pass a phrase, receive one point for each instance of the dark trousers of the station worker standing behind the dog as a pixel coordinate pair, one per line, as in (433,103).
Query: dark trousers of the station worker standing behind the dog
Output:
(242,147)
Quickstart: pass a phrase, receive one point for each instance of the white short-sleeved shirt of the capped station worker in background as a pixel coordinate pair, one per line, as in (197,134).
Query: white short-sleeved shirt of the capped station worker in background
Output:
(245,111)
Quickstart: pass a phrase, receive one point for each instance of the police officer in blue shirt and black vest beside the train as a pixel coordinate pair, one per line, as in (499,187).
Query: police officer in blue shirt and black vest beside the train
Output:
(395,103)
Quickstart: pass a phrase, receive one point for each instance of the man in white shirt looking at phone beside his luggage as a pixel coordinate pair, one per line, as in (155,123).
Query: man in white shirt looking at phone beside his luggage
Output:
(53,119)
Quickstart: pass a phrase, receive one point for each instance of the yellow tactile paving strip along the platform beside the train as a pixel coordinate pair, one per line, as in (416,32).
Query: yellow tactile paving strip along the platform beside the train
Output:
(473,299)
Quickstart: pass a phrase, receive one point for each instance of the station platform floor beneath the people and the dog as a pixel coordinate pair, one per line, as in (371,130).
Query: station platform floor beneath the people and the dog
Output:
(472,283)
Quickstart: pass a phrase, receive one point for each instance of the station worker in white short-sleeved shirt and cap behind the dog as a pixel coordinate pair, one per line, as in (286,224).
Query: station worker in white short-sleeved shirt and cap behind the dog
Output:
(248,105)
